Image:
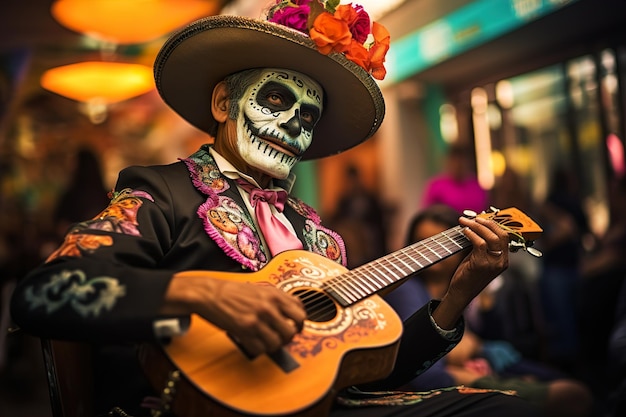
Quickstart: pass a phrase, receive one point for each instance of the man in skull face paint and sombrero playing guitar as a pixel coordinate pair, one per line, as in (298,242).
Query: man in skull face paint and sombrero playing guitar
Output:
(270,96)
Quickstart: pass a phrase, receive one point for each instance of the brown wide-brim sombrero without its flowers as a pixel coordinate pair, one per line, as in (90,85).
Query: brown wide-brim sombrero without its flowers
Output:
(197,57)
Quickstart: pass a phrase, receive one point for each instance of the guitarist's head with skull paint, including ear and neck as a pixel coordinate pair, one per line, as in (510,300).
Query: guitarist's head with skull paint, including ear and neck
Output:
(274,121)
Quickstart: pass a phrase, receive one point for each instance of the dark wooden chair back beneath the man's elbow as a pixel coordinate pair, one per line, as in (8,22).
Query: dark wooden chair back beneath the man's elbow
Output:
(70,380)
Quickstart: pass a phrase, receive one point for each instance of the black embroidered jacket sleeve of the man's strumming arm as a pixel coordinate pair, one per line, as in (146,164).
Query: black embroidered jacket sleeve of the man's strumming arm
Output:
(104,284)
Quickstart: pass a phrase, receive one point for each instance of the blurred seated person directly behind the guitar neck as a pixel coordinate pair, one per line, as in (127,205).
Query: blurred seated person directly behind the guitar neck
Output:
(477,362)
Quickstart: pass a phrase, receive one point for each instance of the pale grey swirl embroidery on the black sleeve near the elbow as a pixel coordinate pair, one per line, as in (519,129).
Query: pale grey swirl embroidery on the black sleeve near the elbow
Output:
(72,288)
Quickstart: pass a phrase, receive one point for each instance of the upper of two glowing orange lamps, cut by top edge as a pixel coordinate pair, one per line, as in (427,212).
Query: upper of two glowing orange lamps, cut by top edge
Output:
(130,21)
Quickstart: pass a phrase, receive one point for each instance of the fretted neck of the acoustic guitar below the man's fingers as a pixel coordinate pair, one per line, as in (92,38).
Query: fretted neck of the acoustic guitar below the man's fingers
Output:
(372,277)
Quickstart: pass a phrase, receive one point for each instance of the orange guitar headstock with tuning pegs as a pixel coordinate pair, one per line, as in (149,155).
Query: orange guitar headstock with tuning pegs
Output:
(522,229)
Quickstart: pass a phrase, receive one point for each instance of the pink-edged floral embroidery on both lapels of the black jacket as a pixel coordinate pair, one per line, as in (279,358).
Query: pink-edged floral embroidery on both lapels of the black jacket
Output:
(231,227)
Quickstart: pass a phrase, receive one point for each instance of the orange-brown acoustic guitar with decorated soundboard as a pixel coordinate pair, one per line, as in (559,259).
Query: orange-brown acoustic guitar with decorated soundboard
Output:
(351,335)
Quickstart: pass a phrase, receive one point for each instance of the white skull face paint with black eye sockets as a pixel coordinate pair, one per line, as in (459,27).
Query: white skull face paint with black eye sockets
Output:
(277,114)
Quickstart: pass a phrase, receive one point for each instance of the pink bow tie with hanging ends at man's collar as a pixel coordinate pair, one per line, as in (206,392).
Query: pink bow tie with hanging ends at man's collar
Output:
(277,236)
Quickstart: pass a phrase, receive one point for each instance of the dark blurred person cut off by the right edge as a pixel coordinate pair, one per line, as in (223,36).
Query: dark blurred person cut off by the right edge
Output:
(603,300)
